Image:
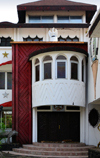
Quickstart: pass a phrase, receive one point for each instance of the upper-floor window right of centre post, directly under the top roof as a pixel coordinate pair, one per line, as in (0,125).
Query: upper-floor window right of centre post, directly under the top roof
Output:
(69,19)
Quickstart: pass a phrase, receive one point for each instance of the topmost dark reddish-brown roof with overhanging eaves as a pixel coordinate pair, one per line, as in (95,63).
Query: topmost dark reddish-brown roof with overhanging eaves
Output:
(56,5)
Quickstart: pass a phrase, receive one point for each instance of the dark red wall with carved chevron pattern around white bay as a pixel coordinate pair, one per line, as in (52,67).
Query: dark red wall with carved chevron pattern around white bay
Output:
(21,89)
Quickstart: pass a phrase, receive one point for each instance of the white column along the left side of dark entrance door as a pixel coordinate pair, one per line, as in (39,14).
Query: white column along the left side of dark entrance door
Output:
(34,125)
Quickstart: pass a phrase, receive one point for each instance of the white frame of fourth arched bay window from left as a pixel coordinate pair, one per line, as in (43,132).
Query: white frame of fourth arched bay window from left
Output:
(75,62)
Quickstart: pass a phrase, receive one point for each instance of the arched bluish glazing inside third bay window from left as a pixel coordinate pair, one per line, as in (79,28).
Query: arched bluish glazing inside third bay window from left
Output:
(61,66)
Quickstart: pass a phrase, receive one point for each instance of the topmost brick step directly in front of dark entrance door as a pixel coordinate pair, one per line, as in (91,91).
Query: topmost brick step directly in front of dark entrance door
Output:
(59,144)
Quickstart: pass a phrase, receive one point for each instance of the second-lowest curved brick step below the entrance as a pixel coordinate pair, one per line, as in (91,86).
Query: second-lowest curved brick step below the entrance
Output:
(51,153)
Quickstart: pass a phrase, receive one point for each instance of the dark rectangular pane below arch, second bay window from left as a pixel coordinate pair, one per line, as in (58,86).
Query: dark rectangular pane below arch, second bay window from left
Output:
(47,70)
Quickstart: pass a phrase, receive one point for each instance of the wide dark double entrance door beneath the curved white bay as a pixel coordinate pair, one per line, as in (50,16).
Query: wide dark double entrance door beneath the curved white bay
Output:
(58,126)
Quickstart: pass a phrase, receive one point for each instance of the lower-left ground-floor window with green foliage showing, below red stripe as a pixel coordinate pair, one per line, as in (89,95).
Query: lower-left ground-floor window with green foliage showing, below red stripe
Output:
(6,118)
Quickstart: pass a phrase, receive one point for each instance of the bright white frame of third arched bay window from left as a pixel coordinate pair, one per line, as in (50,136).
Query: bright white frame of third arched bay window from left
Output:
(61,60)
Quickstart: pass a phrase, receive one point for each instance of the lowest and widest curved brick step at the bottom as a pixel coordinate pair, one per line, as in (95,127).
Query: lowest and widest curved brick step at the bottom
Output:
(38,156)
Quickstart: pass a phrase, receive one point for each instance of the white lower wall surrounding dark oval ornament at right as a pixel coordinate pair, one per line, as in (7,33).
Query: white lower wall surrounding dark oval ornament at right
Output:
(94,133)
